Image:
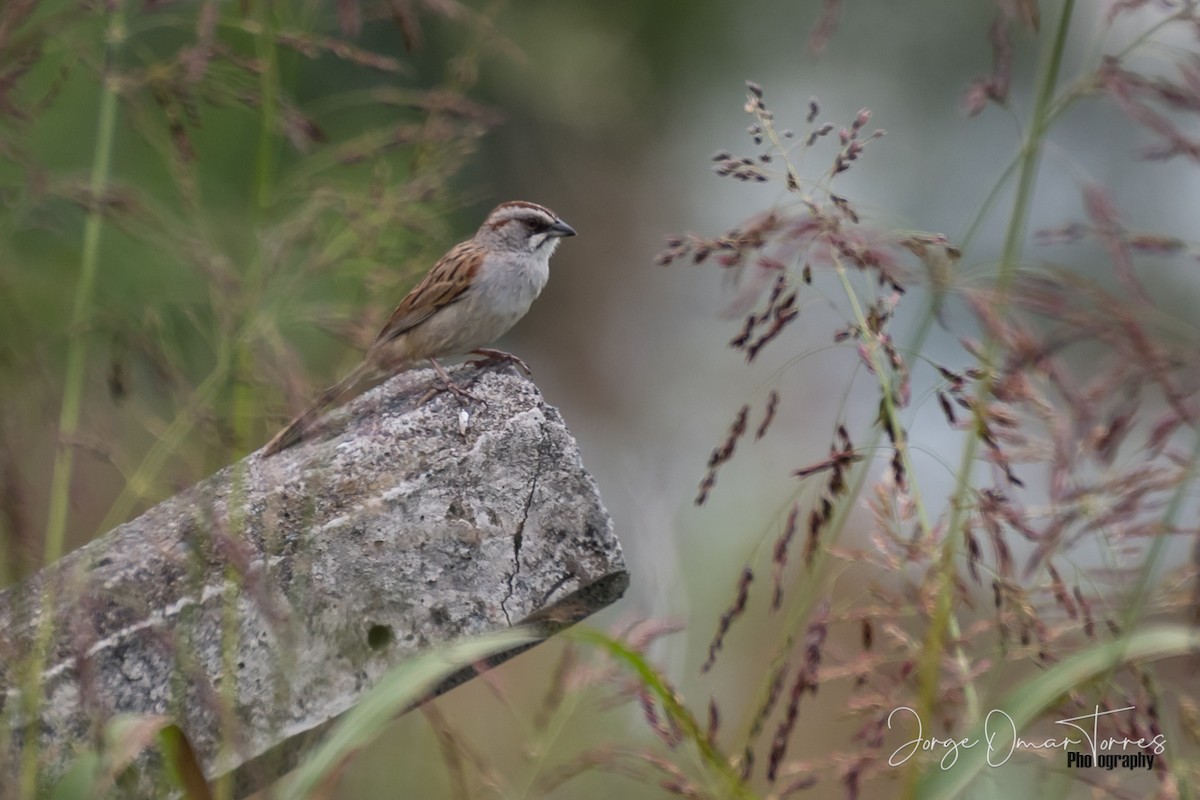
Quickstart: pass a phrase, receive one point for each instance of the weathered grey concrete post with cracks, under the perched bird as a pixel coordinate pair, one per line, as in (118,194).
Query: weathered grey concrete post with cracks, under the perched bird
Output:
(304,576)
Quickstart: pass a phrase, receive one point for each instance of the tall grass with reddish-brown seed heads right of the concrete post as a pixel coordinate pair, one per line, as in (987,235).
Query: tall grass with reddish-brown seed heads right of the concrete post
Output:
(1053,549)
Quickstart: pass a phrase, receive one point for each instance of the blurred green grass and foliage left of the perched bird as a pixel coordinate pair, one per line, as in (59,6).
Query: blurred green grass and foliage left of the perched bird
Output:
(275,173)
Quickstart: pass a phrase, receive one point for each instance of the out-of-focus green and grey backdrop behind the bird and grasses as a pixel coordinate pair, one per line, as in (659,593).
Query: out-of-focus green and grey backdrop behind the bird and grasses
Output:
(241,269)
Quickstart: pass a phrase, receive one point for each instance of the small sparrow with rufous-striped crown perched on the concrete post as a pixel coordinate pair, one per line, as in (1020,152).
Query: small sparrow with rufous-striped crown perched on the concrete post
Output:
(472,297)
